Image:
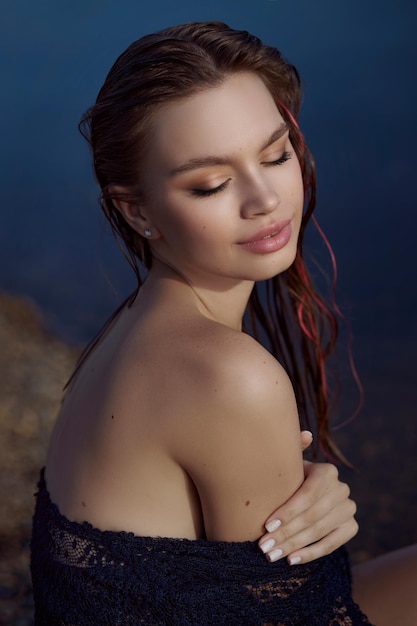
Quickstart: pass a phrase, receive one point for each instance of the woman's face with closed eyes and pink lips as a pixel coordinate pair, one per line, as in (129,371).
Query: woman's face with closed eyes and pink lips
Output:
(224,188)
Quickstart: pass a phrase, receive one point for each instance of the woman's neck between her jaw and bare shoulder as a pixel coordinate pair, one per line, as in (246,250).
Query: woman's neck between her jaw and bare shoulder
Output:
(225,305)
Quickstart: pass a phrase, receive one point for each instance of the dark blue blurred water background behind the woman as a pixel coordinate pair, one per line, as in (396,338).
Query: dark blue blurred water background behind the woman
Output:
(358,61)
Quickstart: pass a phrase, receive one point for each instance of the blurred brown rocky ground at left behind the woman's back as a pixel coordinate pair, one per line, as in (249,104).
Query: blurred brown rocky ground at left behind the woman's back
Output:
(34,367)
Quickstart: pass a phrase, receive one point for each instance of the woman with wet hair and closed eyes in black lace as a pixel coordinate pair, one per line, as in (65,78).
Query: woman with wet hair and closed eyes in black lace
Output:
(178,432)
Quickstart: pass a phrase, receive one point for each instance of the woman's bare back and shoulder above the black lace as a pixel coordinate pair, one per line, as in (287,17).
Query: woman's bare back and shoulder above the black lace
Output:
(147,442)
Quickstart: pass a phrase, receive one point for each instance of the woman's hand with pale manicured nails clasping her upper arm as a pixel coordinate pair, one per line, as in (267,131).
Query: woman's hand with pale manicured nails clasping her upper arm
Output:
(315,521)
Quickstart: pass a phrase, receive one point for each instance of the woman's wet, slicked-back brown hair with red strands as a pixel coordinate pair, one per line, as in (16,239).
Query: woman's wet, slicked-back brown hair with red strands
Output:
(285,313)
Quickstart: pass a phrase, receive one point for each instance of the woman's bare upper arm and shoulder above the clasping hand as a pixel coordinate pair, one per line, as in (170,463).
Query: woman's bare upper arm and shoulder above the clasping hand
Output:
(241,446)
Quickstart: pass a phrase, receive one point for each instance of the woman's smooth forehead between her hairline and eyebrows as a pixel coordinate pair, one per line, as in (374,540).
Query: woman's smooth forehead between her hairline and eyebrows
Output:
(238,114)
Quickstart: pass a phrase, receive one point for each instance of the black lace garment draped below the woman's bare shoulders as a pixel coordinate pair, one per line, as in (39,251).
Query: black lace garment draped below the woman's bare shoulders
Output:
(83,576)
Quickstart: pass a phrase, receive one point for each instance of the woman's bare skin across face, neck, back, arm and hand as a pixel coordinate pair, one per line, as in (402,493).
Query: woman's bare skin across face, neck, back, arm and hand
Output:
(179,424)
